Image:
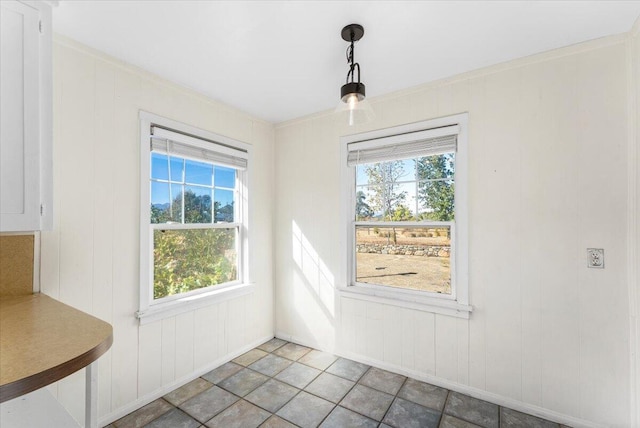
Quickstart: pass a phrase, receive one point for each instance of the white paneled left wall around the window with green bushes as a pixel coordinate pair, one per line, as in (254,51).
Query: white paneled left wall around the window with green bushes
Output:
(90,259)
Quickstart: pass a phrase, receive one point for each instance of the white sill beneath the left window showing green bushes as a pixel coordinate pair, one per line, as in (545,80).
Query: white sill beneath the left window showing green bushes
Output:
(190,303)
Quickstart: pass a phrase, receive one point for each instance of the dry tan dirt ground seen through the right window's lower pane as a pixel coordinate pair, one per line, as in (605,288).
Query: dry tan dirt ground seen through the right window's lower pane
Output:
(412,272)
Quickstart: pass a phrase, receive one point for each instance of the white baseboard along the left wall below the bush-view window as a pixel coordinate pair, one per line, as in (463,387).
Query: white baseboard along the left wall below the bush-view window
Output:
(148,398)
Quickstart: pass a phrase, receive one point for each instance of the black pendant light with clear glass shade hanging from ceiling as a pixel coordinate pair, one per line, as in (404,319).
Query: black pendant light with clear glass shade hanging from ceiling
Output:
(352,93)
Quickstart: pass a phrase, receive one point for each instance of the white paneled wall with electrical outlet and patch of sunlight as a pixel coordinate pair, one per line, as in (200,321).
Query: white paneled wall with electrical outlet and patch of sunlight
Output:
(547,179)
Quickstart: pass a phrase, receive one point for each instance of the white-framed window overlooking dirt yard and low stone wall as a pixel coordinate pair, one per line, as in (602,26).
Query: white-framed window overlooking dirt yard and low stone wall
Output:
(406,215)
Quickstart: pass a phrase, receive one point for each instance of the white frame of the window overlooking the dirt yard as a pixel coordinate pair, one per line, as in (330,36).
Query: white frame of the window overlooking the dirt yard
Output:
(454,304)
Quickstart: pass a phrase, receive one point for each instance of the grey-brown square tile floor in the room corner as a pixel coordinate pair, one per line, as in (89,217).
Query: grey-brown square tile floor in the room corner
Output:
(282,384)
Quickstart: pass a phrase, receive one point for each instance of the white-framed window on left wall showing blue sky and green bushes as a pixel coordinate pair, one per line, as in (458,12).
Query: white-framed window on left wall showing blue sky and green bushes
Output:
(193,215)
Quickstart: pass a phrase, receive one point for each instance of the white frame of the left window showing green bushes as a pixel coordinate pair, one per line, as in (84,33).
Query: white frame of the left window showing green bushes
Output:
(151,309)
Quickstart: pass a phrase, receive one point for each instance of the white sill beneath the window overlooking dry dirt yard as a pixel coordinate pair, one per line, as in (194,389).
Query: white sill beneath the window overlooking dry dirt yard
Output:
(420,303)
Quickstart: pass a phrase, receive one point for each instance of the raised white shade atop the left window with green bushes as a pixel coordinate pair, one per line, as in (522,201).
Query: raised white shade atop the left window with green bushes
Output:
(176,144)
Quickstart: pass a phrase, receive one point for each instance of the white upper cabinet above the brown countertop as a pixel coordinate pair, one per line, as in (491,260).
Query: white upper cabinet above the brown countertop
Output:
(25,116)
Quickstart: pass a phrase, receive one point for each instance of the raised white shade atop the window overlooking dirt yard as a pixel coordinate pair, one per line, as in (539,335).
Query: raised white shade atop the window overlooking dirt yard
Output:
(405,146)
